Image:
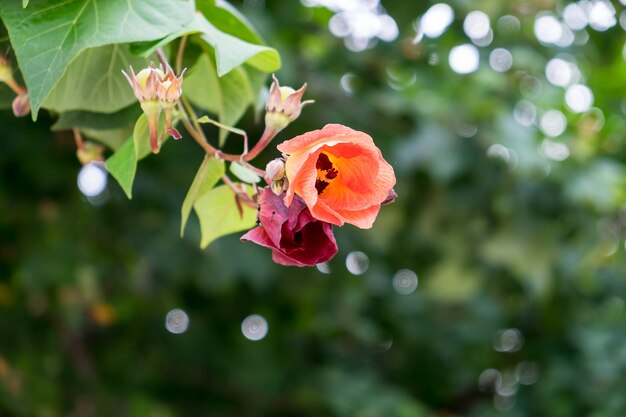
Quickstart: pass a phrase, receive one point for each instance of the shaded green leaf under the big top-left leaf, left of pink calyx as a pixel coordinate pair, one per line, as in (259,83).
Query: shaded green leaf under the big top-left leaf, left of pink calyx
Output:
(94,81)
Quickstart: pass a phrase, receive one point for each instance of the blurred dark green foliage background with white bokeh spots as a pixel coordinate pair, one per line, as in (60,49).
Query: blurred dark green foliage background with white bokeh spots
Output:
(493,286)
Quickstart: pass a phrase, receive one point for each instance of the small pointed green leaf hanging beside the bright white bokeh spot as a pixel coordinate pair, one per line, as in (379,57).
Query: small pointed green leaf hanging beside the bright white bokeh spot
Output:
(122,165)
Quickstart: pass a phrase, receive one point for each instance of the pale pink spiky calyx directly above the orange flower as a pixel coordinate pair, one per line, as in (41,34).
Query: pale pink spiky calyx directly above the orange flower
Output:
(284,105)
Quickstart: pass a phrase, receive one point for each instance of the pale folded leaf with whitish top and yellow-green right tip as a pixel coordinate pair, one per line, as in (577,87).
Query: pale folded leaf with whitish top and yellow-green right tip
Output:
(230,51)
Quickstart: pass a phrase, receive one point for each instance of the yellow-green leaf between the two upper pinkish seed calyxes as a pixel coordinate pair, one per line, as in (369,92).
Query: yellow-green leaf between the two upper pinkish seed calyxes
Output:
(227,97)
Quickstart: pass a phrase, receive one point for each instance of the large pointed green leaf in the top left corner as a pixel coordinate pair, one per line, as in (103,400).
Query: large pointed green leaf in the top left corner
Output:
(49,34)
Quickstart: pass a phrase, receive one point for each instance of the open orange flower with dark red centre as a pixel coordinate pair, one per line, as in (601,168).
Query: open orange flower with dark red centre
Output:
(339,173)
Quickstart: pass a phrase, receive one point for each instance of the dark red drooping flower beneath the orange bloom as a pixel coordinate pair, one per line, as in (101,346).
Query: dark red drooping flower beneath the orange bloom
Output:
(294,235)
